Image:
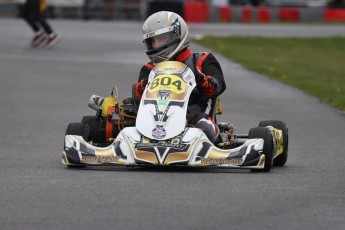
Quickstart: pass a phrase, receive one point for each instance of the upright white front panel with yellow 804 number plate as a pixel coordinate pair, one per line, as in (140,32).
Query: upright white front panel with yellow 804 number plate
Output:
(163,107)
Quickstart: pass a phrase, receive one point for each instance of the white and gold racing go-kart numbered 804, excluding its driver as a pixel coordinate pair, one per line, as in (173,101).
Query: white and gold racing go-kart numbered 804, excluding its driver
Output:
(155,131)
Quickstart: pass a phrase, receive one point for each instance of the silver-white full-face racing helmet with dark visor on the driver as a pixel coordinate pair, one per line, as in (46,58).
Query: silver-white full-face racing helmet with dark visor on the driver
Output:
(165,34)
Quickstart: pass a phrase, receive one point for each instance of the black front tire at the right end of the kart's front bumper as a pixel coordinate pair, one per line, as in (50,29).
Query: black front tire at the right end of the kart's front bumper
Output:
(265,134)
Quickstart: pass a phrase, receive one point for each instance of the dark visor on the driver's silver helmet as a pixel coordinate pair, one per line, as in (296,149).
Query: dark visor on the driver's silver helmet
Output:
(159,40)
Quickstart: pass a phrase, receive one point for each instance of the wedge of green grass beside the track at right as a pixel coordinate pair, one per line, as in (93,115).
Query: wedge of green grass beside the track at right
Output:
(315,65)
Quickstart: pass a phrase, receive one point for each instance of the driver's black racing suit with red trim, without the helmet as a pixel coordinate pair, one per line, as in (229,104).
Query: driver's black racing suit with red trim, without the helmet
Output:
(210,84)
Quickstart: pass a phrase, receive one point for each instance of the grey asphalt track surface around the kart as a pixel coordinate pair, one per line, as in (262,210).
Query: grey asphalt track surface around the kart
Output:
(41,91)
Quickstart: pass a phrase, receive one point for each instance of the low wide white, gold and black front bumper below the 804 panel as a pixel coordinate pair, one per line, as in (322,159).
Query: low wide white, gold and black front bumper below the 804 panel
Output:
(130,148)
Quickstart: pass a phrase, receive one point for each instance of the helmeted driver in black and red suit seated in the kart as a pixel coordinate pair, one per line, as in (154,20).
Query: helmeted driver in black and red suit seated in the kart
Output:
(166,37)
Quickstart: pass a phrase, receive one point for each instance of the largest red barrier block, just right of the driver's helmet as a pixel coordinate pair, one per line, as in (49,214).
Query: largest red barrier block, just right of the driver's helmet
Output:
(196,12)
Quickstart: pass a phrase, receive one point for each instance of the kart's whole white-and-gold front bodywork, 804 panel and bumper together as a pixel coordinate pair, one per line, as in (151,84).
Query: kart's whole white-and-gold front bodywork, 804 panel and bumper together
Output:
(161,136)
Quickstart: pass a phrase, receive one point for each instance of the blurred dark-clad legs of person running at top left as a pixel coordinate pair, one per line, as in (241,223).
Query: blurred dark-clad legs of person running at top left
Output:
(34,14)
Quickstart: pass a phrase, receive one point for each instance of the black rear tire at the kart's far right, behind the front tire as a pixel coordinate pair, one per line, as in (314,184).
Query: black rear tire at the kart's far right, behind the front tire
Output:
(282,158)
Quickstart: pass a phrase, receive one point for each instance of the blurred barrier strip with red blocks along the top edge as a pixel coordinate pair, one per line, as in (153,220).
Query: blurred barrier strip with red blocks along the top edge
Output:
(246,11)
